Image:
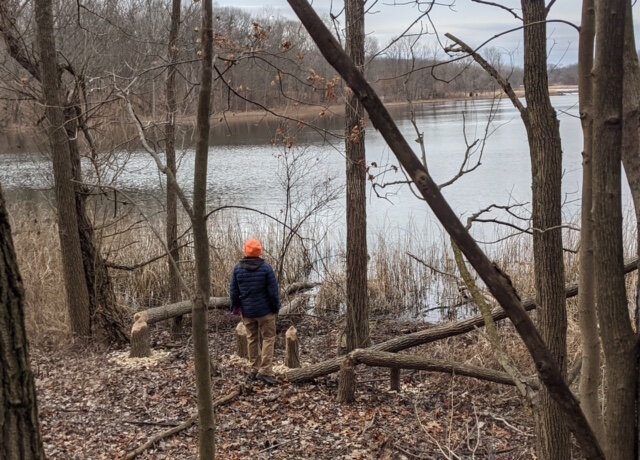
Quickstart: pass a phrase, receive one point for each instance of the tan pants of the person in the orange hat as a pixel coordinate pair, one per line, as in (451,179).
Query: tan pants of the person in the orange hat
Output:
(264,327)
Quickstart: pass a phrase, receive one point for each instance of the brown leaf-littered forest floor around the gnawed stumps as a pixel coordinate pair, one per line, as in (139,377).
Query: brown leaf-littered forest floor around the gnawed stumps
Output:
(100,405)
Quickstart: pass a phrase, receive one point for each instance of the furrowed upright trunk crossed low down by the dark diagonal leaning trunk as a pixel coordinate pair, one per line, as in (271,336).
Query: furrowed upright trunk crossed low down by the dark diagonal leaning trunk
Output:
(546,170)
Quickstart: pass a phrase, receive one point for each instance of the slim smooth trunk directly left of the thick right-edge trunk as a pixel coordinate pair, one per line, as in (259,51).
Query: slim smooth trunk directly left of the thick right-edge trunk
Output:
(590,372)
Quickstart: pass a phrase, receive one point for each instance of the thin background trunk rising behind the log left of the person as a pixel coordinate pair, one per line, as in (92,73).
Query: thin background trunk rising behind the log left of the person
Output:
(170,135)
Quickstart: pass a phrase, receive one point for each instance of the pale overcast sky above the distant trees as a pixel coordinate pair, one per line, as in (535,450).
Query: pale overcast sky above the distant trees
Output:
(471,22)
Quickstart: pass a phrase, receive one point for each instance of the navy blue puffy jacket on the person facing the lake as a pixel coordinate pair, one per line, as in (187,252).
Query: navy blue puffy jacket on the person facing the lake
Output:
(254,288)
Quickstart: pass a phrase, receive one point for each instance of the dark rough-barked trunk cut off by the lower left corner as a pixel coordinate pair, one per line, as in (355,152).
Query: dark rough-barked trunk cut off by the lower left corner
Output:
(19,426)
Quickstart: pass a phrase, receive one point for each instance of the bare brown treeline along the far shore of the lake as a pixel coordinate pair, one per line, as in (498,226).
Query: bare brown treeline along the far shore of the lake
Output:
(264,60)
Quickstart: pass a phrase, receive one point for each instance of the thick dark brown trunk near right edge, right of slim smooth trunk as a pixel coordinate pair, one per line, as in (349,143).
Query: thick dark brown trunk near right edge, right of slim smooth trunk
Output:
(619,342)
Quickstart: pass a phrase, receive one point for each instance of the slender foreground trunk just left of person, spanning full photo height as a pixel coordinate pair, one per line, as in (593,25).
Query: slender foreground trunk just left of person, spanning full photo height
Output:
(201,243)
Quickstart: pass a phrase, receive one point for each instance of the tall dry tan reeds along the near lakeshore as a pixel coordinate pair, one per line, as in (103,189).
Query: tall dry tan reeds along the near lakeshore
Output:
(399,285)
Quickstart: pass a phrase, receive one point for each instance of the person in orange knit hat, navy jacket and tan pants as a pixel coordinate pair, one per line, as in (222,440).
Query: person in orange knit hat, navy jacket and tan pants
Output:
(256,296)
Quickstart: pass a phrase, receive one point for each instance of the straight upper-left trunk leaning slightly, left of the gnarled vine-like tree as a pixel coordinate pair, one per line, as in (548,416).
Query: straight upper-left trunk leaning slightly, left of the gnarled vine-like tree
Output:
(72,265)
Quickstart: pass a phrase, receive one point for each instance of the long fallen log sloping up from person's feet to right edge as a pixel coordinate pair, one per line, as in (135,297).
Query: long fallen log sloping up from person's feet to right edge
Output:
(432,334)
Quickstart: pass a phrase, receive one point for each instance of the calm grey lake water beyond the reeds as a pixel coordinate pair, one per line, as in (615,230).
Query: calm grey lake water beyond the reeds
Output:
(246,168)
